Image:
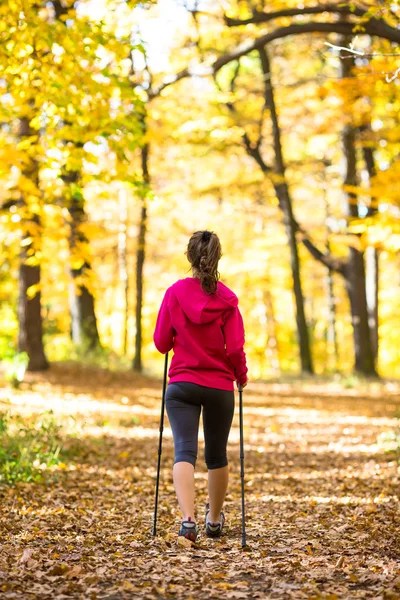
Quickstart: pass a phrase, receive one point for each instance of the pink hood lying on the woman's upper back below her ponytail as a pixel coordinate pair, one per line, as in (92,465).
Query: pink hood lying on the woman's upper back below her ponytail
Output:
(200,307)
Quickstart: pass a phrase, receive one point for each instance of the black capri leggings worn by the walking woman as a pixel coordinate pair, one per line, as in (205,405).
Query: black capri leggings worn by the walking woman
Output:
(184,401)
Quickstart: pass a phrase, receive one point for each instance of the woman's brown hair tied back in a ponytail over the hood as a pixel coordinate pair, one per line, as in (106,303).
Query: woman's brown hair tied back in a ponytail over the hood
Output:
(203,253)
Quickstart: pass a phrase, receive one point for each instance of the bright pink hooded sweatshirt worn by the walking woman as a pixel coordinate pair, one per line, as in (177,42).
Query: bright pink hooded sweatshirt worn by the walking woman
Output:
(206,332)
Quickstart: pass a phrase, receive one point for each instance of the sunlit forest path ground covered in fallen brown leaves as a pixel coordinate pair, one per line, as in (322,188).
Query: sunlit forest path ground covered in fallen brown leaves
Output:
(321,497)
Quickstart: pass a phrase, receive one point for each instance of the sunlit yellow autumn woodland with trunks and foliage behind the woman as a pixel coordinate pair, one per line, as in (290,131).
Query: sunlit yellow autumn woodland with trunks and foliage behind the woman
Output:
(116,143)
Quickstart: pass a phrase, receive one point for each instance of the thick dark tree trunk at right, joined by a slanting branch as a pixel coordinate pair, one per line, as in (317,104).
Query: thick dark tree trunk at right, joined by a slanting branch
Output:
(354,271)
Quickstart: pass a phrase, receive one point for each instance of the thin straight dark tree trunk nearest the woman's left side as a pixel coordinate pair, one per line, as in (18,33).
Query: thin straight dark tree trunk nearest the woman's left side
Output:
(140,258)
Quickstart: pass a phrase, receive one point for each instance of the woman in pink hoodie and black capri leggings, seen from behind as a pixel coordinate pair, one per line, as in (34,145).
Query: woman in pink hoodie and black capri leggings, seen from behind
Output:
(199,318)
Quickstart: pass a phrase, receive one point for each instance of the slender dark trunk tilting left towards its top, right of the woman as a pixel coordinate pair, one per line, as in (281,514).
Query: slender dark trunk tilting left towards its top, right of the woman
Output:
(285,203)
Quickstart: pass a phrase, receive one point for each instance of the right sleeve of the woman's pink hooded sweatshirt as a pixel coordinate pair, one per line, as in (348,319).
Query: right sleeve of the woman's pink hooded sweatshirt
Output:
(234,341)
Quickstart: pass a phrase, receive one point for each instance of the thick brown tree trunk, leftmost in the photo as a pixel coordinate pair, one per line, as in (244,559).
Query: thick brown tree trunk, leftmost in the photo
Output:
(30,336)
